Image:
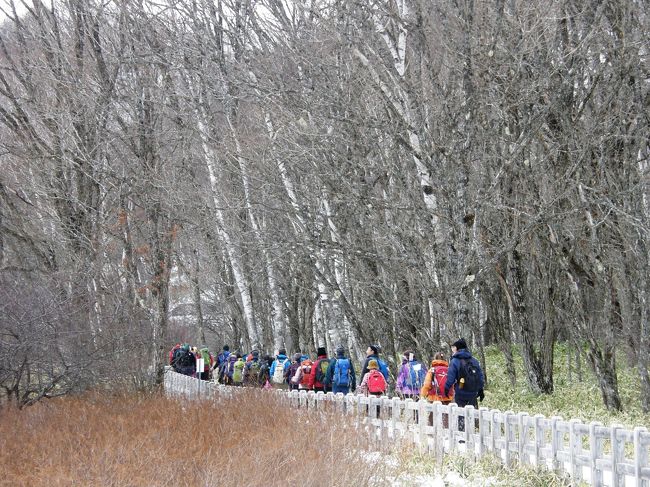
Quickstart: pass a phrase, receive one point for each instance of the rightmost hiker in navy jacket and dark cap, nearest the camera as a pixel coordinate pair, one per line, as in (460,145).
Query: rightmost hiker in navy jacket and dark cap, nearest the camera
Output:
(466,377)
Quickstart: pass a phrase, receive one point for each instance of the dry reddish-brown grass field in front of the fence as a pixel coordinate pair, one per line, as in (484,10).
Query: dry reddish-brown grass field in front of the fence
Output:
(151,440)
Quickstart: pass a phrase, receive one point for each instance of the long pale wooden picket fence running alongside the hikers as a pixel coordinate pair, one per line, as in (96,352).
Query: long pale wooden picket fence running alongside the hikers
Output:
(599,455)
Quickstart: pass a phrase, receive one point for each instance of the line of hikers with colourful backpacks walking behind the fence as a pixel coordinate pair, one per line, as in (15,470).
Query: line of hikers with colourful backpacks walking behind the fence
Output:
(460,380)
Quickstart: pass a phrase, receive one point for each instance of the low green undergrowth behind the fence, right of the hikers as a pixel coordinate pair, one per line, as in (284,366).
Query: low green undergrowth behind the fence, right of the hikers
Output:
(570,399)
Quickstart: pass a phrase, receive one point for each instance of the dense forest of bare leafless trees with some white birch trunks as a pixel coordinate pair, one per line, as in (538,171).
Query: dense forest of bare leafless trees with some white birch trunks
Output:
(279,173)
